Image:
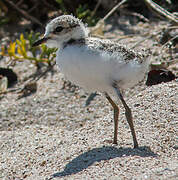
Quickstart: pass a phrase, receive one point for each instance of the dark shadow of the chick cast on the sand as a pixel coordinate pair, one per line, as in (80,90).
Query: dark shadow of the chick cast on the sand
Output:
(86,159)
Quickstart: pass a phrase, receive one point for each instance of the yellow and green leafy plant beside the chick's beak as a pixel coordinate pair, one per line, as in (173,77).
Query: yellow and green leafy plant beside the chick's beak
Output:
(22,49)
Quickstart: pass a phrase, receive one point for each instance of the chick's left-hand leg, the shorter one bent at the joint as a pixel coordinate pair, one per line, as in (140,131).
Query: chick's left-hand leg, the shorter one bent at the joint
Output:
(116,116)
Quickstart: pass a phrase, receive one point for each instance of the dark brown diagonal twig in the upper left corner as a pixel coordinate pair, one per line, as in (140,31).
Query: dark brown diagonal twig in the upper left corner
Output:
(26,15)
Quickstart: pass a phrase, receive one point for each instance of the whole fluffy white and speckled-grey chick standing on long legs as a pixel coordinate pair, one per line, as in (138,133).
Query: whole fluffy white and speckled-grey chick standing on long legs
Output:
(95,64)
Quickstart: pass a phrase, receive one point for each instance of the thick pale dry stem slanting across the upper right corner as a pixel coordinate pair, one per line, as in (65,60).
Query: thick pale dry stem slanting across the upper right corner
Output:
(162,11)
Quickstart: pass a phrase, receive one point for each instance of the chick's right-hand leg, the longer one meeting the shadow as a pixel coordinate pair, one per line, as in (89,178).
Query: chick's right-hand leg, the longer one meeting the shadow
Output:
(128,115)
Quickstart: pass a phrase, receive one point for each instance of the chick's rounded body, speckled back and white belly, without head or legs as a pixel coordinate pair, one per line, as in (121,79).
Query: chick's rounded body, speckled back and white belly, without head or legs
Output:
(95,64)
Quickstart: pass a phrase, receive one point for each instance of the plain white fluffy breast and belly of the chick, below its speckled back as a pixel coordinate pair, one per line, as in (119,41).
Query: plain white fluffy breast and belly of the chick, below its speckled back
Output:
(97,71)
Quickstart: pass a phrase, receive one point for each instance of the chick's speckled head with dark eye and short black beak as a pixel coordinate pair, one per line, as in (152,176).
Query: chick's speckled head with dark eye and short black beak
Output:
(61,30)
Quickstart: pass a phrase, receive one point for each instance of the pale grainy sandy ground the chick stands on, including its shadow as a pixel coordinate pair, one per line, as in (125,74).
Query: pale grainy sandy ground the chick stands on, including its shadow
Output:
(52,135)
